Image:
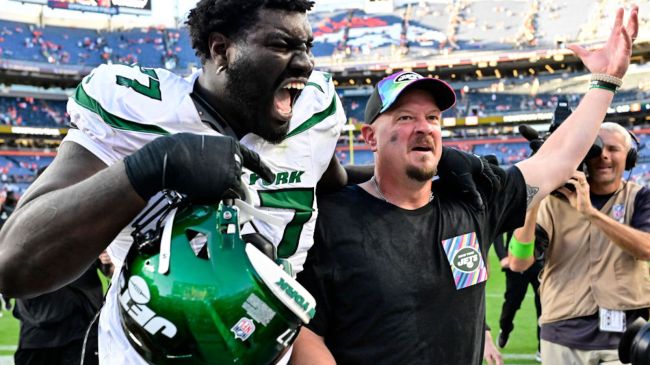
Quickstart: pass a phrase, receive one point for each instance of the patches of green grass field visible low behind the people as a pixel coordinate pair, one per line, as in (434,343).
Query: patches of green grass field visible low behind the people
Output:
(520,349)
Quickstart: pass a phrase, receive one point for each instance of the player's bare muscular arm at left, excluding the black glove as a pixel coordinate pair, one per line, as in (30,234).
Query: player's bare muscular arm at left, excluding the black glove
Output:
(64,221)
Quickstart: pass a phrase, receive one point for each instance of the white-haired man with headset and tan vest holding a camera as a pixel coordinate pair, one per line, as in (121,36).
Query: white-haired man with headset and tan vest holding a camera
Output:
(595,279)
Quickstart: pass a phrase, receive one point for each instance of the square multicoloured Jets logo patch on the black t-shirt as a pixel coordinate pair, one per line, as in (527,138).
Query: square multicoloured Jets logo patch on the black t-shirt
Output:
(465,260)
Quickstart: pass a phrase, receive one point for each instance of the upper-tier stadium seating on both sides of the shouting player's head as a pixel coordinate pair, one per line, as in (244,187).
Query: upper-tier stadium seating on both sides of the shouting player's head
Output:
(414,28)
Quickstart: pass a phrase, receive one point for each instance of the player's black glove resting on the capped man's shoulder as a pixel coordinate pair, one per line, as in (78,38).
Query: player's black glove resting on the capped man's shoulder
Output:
(471,177)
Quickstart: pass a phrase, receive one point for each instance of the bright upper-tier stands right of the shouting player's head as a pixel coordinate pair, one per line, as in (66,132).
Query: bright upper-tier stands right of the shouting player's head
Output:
(439,28)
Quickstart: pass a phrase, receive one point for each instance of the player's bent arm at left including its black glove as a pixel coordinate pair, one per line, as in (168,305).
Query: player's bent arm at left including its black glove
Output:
(78,206)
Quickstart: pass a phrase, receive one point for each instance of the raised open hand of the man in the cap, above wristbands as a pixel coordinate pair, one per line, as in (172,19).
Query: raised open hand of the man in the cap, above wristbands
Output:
(614,57)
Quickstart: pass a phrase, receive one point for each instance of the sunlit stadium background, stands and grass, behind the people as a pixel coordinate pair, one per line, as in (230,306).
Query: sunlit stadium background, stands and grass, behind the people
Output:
(507,61)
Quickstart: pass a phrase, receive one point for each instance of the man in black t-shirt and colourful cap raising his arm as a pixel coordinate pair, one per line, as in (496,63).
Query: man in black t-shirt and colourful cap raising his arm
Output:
(397,270)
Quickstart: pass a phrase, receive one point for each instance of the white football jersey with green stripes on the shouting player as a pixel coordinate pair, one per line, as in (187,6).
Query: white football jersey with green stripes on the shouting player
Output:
(117,109)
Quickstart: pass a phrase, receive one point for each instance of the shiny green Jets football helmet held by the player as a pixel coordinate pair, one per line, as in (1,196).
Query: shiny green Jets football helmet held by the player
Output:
(192,291)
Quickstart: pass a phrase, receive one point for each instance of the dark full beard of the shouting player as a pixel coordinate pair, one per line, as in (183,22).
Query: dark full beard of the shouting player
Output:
(244,90)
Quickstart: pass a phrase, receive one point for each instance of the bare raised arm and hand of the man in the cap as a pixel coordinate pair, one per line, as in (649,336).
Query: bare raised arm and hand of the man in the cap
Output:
(556,160)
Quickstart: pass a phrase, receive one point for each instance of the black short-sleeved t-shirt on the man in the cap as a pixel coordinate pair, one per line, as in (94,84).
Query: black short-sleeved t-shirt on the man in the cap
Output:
(383,282)
